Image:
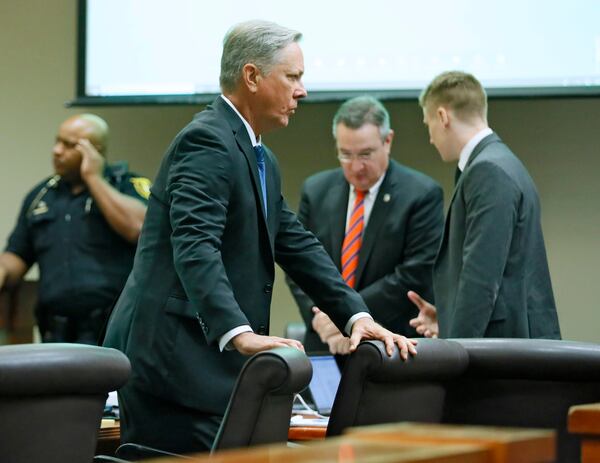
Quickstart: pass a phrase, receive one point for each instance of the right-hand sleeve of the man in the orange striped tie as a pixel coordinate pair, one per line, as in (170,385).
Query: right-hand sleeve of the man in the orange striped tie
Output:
(387,296)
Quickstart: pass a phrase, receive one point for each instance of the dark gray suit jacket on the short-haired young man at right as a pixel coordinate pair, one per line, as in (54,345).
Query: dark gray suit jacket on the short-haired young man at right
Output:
(491,275)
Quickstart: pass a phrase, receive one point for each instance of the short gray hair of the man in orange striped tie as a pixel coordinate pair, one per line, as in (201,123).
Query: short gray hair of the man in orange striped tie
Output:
(362,110)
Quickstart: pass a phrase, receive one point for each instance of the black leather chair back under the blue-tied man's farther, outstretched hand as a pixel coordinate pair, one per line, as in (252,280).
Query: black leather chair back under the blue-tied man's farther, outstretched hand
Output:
(378,389)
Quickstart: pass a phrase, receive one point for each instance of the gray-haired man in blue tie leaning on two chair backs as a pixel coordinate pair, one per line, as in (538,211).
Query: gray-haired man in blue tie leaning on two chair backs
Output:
(197,300)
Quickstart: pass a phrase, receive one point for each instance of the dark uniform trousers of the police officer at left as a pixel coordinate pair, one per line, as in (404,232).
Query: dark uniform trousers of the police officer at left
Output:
(81,328)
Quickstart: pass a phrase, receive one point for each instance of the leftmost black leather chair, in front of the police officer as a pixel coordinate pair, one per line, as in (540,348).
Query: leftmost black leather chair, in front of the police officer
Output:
(52,398)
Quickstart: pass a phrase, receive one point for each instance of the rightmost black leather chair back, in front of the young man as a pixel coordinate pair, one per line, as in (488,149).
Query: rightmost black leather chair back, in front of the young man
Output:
(525,383)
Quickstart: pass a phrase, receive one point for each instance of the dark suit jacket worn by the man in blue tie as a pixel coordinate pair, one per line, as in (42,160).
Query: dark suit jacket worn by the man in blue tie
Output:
(205,264)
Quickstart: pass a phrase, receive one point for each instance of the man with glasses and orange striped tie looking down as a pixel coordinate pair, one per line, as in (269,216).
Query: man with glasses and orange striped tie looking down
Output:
(403,223)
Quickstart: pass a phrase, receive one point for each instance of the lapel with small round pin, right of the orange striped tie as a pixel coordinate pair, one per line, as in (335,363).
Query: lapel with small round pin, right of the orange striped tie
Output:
(376,219)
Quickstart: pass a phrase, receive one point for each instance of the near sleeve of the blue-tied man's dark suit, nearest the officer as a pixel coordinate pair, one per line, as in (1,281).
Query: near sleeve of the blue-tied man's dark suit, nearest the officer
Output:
(198,192)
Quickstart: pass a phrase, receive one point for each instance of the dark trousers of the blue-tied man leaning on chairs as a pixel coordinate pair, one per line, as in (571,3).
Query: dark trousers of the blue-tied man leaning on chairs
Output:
(164,425)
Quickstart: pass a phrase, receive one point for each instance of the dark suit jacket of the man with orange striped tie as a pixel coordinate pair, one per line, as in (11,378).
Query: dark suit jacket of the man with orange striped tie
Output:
(399,243)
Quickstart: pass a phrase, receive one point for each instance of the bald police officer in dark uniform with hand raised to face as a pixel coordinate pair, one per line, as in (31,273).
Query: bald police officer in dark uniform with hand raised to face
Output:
(81,226)
